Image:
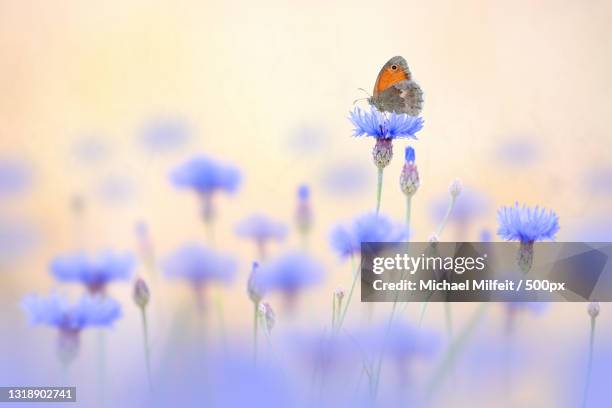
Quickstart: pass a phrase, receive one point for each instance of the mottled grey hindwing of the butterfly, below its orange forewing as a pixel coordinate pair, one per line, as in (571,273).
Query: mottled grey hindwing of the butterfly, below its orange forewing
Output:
(402,97)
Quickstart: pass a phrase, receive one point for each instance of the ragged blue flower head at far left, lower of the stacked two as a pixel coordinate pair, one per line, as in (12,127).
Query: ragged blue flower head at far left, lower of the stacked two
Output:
(56,310)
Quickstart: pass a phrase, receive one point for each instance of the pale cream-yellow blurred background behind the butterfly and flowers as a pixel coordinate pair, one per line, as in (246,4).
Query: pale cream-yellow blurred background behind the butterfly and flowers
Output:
(246,74)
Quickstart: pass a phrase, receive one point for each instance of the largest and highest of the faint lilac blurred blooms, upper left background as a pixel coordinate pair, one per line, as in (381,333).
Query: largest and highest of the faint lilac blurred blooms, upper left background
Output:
(164,135)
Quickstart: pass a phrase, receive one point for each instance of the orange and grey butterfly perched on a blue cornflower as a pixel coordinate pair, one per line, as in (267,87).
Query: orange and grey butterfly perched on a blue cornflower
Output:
(395,91)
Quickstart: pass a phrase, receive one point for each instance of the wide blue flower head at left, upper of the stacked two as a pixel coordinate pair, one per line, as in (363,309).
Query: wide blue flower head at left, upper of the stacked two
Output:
(96,271)
